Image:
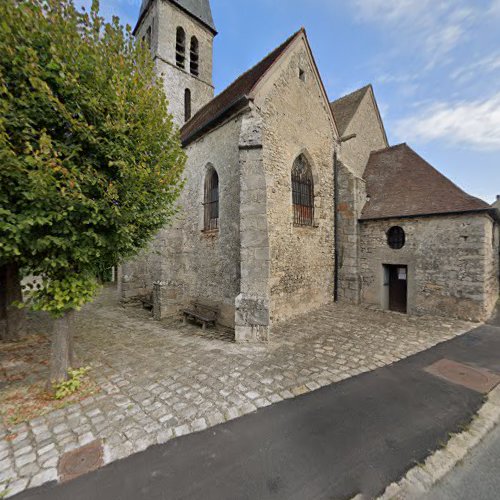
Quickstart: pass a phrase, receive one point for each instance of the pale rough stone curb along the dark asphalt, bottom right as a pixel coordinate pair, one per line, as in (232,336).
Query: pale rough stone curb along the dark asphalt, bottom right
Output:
(418,480)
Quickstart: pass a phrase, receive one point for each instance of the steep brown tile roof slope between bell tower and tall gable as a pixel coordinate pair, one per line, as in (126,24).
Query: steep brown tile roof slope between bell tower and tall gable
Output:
(233,97)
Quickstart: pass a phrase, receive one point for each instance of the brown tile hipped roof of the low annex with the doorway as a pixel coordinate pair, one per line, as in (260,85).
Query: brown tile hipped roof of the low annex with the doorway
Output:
(400,183)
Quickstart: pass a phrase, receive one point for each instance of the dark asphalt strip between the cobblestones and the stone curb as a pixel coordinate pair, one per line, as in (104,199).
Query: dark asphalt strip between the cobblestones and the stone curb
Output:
(353,437)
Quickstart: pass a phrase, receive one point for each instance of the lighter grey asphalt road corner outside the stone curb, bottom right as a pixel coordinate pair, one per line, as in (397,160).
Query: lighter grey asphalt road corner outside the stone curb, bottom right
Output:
(477,477)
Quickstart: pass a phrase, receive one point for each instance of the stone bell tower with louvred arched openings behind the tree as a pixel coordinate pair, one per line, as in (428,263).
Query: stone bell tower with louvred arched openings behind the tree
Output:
(180,34)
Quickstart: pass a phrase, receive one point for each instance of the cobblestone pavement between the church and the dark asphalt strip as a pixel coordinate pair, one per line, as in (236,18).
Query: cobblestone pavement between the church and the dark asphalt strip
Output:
(162,380)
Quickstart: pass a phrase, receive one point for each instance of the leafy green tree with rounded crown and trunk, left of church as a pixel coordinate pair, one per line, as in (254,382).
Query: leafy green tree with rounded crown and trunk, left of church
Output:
(91,163)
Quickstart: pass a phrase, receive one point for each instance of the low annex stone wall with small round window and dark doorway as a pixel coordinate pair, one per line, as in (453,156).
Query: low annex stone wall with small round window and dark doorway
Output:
(449,266)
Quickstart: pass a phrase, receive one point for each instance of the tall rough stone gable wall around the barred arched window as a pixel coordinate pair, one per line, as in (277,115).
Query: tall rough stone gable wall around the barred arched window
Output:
(296,121)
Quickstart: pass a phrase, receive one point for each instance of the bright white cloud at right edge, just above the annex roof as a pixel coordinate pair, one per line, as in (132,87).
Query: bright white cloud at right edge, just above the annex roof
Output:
(474,124)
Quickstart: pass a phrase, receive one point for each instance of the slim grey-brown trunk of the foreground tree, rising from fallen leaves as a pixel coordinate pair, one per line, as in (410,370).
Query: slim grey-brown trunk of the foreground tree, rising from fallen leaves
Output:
(62,348)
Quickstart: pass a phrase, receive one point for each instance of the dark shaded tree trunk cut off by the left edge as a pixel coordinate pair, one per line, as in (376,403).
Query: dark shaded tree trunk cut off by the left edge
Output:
(12,319)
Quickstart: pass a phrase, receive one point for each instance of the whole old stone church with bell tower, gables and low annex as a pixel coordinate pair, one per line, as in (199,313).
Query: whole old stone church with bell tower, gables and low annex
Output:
(293,201)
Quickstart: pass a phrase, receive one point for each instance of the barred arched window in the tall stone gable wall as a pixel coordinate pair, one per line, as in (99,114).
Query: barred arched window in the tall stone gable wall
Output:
(302,192)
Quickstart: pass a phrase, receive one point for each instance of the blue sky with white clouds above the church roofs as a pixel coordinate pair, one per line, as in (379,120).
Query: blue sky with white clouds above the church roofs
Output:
(434,66)
